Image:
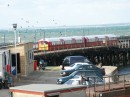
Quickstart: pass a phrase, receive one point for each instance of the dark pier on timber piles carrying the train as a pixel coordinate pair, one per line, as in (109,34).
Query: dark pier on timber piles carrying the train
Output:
(107,55)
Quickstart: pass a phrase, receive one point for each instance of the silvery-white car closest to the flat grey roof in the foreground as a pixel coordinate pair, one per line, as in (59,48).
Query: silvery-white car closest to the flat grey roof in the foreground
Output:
(89,81)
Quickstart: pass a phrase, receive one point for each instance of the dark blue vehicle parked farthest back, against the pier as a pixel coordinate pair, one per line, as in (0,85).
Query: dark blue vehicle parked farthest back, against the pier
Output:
(73,59)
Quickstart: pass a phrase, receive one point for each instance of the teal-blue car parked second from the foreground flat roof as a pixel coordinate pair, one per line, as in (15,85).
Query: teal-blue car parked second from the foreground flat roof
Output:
(62,80)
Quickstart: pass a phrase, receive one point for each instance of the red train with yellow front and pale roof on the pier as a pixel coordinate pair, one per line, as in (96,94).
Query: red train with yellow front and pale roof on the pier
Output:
(60,43)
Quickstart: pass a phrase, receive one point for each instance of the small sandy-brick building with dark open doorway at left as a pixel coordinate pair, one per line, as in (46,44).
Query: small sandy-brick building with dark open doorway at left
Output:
(19,58)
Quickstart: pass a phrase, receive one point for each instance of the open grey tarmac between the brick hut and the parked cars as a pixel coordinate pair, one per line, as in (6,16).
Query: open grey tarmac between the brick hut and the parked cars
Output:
(48,76)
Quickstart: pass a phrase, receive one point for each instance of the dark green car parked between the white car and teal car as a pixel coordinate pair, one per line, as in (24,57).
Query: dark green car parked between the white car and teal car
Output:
(82,66)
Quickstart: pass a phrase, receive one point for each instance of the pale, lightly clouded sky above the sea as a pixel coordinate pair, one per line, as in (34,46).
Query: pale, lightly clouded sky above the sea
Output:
(51,13)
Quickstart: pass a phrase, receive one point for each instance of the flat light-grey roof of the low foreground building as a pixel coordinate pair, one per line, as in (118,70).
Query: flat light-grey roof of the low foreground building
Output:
(45,87)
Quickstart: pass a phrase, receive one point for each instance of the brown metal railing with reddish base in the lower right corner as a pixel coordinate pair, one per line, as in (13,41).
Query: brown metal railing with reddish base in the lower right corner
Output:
(117,85)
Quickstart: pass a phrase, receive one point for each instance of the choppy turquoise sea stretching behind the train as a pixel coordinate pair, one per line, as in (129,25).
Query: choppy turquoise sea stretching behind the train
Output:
(35,34)
